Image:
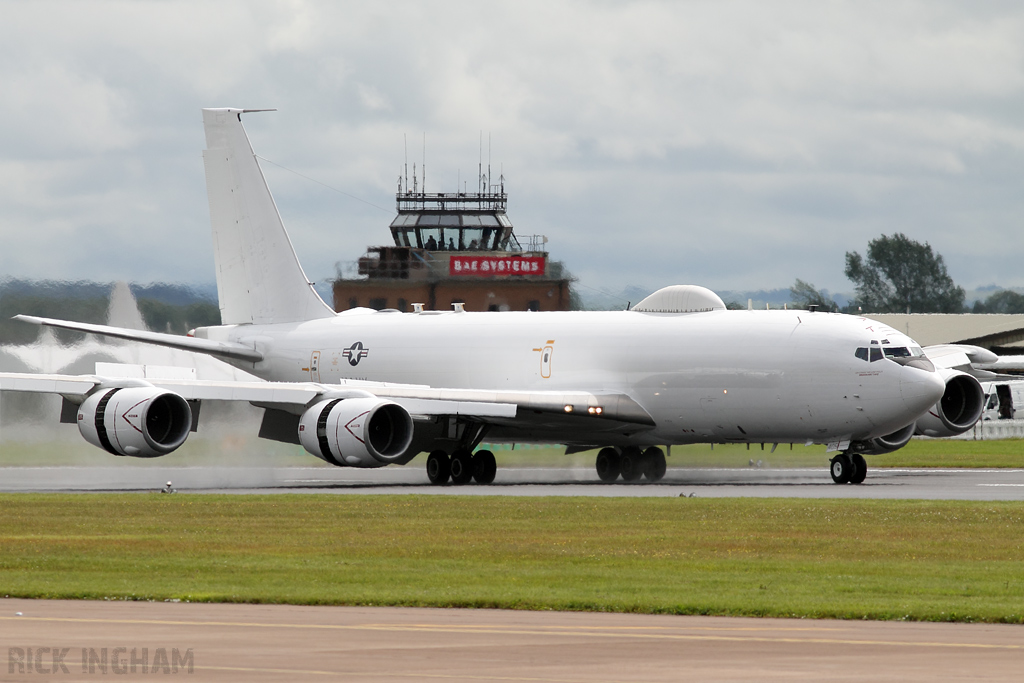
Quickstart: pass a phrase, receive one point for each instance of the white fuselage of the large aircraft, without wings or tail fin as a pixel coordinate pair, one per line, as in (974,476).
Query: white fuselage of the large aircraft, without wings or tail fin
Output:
(716,376)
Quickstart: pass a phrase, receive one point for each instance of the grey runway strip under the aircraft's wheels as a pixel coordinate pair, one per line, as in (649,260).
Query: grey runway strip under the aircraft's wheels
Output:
(976,485)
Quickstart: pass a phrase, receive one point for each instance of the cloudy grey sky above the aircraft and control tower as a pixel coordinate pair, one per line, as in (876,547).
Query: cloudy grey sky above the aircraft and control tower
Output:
(734,145)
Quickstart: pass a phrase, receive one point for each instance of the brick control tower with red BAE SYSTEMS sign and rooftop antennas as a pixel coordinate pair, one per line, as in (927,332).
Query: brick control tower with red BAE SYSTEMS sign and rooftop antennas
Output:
(455,248)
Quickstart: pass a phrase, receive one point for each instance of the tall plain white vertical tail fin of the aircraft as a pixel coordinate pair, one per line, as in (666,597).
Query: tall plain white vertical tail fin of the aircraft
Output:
(260,279)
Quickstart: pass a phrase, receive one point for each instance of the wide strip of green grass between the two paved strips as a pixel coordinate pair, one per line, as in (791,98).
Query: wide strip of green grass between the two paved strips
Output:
(849,560)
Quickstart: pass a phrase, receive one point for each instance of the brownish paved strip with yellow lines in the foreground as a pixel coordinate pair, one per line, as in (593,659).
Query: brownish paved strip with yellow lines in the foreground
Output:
(225,643)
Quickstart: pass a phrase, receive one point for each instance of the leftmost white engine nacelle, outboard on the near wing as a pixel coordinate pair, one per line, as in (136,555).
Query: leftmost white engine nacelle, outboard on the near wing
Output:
(143,422)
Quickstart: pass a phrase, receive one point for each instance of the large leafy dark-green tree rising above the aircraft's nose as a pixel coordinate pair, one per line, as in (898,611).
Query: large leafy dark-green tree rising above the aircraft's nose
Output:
(903,276)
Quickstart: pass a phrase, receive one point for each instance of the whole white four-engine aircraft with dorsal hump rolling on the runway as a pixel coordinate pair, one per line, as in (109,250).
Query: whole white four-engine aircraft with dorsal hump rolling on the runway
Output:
(368,389)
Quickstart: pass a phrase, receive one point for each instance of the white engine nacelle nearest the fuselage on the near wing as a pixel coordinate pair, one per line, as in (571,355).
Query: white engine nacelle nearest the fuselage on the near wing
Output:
(357,433)
